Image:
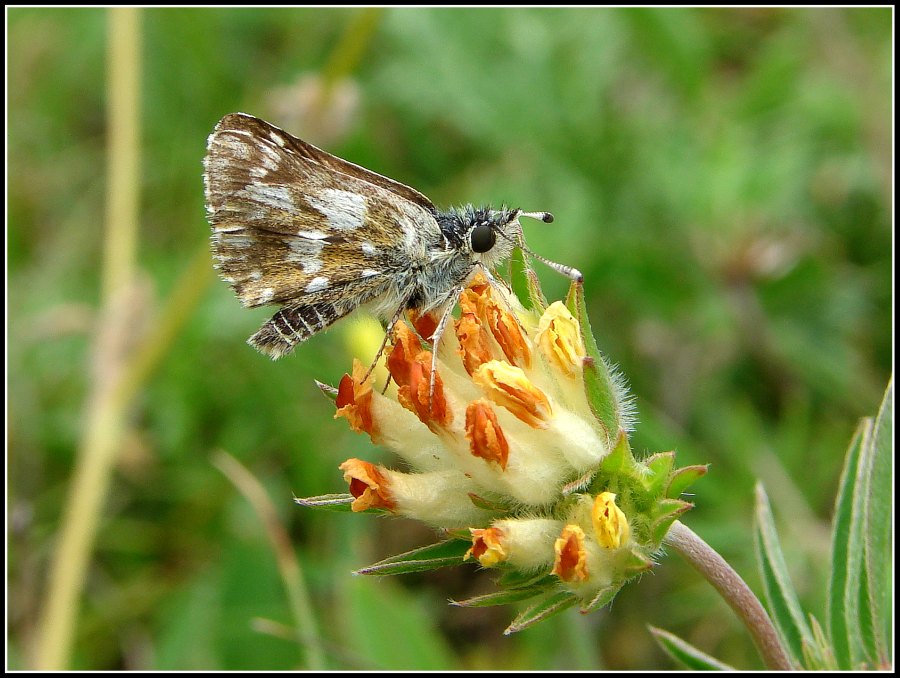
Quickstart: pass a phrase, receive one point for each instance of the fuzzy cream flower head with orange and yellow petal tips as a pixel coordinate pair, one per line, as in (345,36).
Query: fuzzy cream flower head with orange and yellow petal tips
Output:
(517,431)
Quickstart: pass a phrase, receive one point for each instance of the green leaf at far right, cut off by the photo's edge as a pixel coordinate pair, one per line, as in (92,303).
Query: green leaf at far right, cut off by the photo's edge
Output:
(878,528)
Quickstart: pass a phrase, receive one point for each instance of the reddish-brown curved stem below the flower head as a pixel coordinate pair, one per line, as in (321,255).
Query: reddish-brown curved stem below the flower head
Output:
(734,590)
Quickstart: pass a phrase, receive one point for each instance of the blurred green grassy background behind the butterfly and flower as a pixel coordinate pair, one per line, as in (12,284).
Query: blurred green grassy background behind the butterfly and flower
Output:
(723,178)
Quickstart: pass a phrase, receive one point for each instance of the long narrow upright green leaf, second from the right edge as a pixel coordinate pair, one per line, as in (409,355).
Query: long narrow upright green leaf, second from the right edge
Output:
(846,558)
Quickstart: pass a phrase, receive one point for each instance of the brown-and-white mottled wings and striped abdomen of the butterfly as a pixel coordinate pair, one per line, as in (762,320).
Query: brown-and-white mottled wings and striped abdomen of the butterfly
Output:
(296,226)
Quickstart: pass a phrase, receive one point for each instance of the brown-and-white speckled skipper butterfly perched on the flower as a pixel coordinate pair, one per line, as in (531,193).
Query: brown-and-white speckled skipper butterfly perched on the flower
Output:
(296,226)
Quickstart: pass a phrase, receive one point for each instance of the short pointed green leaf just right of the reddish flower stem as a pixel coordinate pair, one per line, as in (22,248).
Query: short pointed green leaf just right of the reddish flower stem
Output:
(783,603)
